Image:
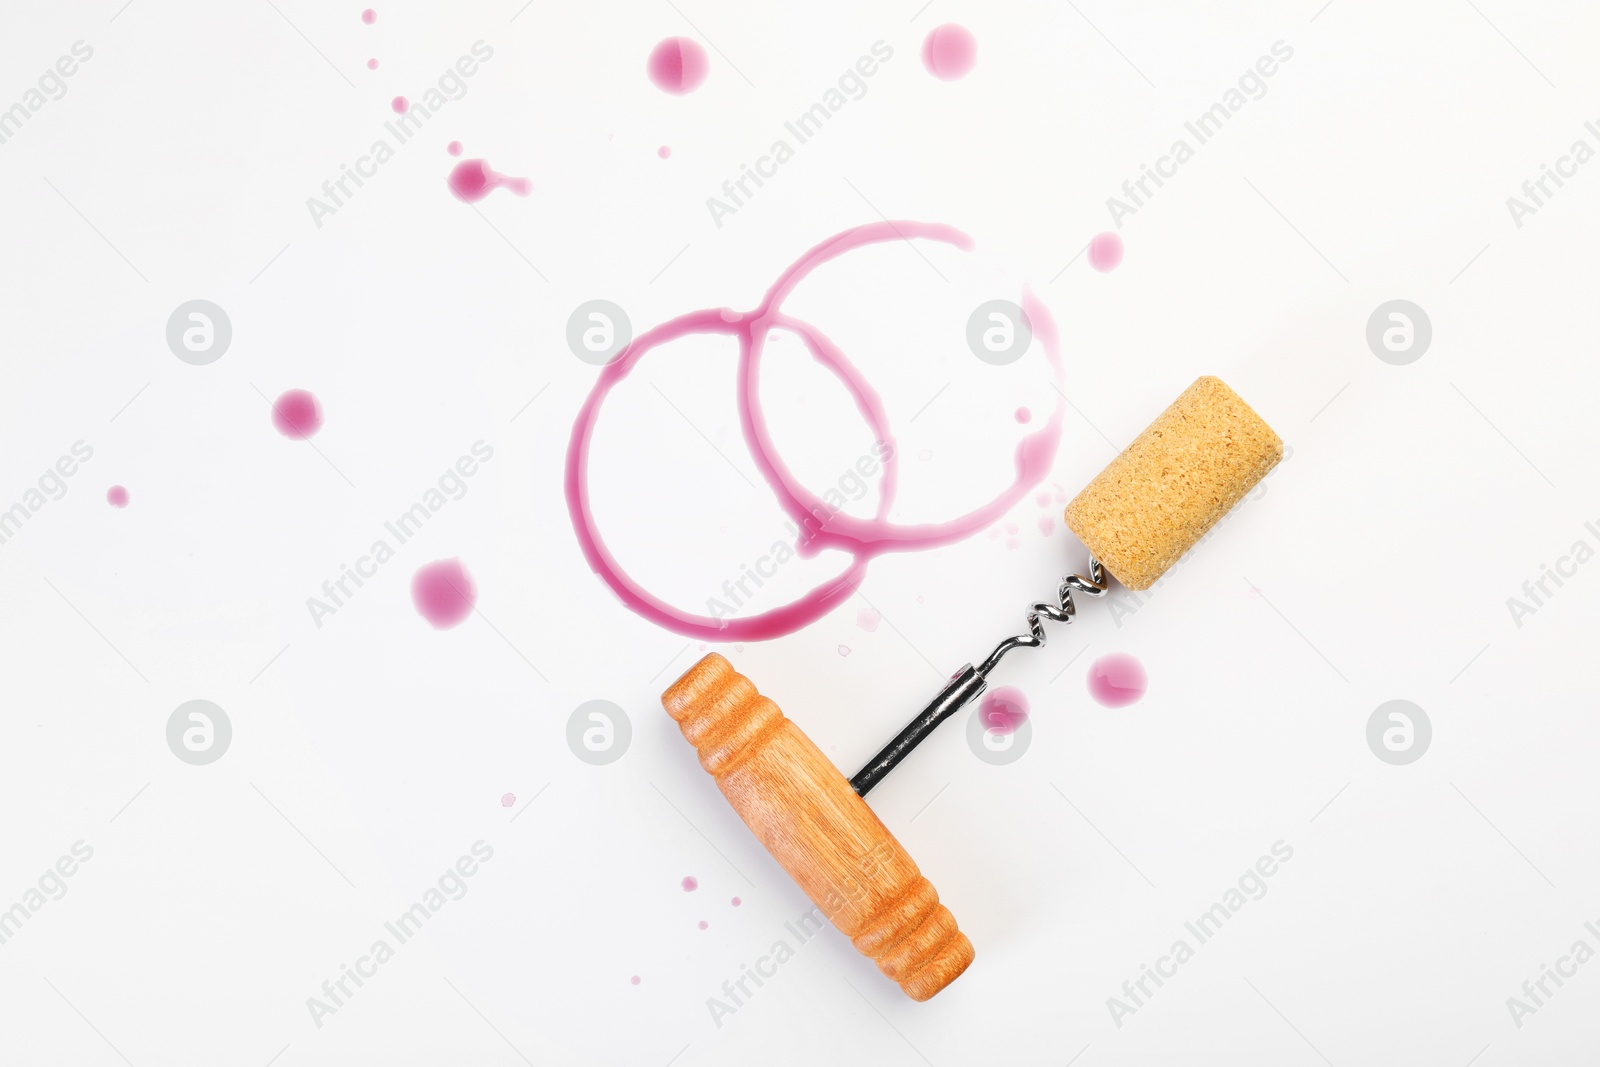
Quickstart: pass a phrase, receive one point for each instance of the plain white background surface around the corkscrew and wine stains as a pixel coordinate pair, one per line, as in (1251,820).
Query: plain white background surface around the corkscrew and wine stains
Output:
(372,753)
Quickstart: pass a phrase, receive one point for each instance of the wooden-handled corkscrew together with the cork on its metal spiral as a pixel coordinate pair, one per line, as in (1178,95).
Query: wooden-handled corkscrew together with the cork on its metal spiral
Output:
(1145,511)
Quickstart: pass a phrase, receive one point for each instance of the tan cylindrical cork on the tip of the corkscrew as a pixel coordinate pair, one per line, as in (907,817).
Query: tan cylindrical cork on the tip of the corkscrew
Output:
(1182,476)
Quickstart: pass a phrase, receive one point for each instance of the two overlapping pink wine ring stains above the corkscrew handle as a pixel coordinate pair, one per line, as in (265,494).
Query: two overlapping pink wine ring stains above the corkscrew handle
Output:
(862,538)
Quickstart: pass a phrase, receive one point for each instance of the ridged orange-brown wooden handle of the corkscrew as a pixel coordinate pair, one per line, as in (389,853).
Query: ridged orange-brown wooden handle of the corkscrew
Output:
(818,829)
